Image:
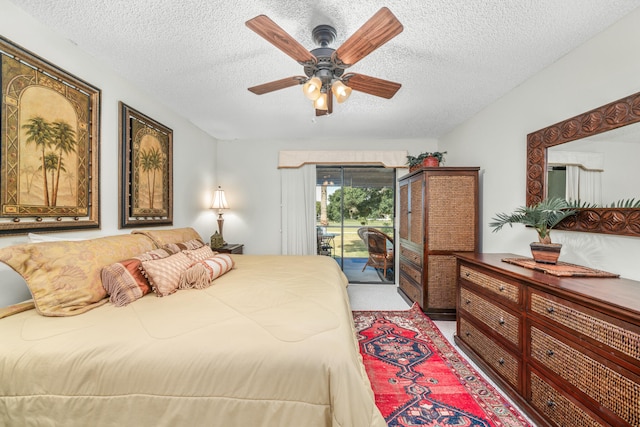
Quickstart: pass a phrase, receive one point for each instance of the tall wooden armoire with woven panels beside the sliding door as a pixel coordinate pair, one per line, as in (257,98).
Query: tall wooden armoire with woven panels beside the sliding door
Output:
(438,216)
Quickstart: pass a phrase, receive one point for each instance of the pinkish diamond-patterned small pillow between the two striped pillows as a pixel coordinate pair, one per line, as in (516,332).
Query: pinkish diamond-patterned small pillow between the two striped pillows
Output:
(164,274)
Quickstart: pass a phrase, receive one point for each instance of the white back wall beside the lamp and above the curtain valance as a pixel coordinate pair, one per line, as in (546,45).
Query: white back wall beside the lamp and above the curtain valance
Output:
(248,172)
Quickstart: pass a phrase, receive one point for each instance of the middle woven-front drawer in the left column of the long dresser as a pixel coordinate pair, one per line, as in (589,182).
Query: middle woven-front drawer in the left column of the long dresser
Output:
(499,320)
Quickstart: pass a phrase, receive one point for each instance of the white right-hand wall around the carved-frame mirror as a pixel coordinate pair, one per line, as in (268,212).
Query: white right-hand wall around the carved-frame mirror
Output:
(602,70)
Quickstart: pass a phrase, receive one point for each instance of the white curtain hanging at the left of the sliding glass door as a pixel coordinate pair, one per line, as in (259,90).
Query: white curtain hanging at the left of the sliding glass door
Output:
(298,206)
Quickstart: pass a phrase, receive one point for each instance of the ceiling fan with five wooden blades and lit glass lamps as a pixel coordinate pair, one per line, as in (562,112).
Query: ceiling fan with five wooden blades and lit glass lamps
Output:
(325,67)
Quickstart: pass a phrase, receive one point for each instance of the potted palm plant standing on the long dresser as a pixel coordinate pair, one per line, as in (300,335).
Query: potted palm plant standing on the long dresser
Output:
(542,217)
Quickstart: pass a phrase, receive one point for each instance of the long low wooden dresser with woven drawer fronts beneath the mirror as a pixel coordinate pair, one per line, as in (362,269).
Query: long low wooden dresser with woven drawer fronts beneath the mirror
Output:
(566,349)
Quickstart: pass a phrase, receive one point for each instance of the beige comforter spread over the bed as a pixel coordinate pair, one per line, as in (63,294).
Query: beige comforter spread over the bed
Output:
(271,343)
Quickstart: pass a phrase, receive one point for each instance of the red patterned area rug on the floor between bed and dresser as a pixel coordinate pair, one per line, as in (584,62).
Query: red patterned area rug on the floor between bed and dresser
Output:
(419,379)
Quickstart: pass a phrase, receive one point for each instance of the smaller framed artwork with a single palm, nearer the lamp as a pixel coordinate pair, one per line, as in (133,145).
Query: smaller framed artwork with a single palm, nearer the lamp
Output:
(146,177)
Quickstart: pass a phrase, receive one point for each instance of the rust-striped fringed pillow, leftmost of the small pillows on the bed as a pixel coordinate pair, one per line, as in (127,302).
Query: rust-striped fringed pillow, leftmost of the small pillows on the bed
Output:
(125,282)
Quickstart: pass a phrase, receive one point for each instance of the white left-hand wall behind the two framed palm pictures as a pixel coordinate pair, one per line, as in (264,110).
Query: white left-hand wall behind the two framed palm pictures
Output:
(193,150)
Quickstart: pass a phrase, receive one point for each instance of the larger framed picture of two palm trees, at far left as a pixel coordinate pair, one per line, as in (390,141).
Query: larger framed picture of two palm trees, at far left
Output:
(49,146)
